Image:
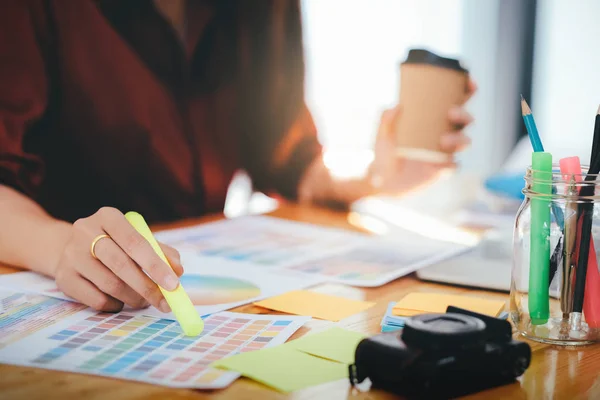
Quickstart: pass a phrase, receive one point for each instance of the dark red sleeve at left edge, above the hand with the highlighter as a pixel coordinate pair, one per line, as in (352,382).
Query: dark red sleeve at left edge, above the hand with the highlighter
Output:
(23,91)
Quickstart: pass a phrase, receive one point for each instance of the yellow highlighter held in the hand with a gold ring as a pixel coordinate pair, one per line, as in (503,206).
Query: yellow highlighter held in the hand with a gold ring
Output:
(178,300)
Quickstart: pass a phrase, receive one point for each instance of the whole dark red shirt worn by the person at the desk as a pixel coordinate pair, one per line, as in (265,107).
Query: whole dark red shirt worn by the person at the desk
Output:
(101,104)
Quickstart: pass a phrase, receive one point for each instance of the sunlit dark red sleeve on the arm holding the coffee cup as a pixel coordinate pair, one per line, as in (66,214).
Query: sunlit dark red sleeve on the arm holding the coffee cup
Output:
(282,139)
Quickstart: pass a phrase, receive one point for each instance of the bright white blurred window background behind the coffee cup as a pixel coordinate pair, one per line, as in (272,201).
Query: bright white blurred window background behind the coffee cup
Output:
(542,49)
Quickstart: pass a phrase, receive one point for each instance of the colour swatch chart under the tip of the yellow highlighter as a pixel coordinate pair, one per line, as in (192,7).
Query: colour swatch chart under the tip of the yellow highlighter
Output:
(148,349)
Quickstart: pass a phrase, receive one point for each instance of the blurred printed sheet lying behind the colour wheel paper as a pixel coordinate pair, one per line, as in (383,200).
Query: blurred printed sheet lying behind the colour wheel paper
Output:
(331,254)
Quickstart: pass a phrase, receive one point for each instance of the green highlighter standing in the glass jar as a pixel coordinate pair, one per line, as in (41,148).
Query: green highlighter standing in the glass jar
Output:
(539,257)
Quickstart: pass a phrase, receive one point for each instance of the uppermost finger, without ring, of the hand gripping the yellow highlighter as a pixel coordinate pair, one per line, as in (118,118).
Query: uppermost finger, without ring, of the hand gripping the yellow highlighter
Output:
(137,248)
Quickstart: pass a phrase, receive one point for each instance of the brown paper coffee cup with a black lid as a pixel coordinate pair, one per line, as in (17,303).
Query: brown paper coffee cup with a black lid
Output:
(430,86)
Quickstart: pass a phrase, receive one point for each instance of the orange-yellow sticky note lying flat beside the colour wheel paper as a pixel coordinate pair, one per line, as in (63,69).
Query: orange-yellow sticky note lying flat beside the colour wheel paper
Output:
(323,306)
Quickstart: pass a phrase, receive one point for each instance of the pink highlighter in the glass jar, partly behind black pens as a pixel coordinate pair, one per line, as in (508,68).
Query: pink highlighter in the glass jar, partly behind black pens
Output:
(571,167)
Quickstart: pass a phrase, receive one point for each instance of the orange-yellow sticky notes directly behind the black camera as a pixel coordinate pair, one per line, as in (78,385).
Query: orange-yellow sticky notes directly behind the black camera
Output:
(420,303)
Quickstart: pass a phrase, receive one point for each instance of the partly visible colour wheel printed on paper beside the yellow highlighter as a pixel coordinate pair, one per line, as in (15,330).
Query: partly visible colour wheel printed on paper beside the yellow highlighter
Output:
(209,290)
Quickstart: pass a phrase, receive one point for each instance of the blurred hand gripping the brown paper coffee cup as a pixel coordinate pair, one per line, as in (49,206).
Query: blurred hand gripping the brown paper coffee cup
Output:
(390,174)
